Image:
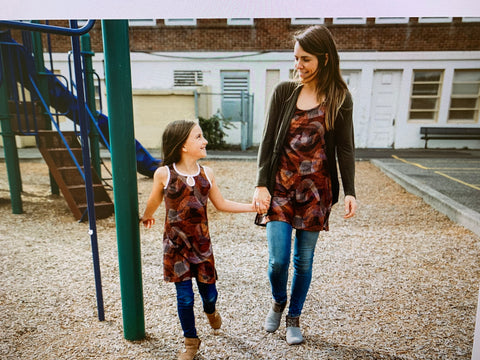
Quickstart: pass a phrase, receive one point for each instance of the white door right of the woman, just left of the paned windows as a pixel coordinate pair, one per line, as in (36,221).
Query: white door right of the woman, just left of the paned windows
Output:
(383,110)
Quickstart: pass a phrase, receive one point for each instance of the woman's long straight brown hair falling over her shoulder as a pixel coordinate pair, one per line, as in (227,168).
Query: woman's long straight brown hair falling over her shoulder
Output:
(317,40)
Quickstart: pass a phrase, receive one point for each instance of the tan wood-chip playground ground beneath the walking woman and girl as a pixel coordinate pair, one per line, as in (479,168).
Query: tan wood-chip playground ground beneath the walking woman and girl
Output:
(398,281)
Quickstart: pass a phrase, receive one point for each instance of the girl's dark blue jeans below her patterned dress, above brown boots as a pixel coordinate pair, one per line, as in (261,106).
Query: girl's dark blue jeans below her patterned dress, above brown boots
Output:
(185,299)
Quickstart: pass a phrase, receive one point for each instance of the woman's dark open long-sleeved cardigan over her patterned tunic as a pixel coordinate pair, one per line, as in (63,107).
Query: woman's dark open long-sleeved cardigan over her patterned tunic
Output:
(339,142)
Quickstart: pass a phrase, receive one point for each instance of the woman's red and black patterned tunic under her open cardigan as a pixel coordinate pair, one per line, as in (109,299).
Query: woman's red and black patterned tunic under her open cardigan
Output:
(303,195)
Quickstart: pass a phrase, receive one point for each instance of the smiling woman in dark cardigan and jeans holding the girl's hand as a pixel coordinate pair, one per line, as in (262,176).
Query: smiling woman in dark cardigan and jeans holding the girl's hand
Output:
(308,125)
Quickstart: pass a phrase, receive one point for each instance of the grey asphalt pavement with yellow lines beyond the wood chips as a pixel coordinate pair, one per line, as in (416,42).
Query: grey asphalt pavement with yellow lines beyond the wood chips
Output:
(447,179)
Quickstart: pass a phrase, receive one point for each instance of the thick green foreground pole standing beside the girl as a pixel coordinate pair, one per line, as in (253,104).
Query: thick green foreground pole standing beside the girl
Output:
(122,141)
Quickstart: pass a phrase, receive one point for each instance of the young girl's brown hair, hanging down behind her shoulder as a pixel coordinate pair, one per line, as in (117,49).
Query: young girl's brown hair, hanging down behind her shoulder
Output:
(173,138)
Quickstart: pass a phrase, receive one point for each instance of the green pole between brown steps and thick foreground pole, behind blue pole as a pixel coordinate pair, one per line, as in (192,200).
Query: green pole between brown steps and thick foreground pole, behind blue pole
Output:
(90,93)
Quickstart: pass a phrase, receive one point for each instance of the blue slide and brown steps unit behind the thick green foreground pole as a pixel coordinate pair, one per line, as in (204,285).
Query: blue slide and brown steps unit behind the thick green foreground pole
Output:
(33,92)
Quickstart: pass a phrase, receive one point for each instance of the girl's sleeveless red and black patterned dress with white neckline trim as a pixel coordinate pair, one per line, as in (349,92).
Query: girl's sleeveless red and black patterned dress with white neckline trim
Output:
(187,249)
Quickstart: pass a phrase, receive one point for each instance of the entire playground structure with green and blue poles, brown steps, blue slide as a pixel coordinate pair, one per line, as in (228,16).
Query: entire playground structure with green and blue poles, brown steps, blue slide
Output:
(28,92)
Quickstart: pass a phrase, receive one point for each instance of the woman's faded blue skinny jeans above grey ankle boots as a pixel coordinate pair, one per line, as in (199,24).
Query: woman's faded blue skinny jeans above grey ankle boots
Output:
(279,236)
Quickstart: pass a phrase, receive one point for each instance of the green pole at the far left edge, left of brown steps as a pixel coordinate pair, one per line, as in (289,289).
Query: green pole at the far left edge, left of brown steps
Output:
(10,147)
